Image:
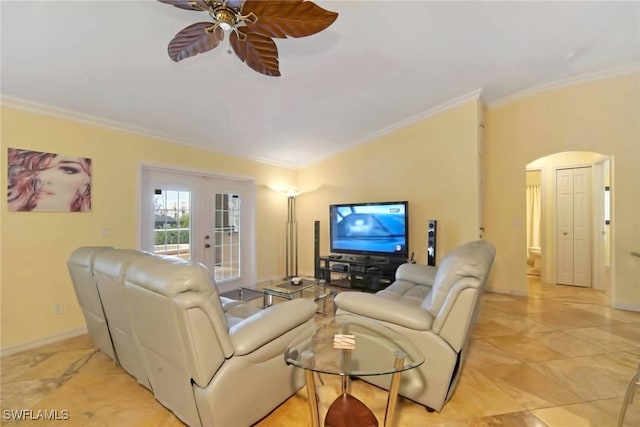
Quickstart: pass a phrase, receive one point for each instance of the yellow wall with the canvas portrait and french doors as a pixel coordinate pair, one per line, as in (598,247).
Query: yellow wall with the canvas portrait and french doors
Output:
(36,245)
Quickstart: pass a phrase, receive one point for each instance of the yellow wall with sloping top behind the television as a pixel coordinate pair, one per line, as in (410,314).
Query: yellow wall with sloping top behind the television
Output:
(433,164)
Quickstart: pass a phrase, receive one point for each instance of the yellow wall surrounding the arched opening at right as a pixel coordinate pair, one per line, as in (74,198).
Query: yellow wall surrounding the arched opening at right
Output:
(601,116)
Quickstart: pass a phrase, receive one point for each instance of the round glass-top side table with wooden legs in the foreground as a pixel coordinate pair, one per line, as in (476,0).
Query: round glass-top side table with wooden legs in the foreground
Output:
(348,345)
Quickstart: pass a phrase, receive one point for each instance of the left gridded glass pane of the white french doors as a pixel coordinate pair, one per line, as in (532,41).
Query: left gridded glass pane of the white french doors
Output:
(172,230)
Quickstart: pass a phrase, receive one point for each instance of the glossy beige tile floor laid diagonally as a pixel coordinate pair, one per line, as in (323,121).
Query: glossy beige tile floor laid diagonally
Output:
(561,357)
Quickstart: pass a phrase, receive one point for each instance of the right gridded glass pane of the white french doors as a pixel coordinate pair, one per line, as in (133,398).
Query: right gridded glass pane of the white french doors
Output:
(227,236)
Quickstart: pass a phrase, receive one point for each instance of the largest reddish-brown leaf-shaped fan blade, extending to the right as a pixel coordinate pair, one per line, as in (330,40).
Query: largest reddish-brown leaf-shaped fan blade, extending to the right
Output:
(288,18)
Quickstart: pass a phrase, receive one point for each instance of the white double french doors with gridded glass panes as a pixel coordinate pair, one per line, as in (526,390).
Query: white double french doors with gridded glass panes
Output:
(207,219)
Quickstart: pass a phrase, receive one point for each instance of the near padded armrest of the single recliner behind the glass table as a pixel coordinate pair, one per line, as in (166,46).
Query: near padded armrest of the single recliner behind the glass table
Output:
(393,311)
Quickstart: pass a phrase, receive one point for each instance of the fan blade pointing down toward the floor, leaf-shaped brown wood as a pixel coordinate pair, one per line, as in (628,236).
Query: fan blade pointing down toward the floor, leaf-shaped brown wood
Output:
(259,52)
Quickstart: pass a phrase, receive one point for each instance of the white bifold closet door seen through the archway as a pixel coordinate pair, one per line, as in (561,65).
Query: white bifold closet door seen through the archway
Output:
(573,219)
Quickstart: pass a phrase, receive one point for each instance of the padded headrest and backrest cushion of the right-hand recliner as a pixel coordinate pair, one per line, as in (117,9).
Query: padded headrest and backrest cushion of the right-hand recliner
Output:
(472,259)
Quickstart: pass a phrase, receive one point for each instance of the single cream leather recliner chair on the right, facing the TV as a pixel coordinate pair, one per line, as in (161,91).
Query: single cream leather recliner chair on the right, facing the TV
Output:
(435,307)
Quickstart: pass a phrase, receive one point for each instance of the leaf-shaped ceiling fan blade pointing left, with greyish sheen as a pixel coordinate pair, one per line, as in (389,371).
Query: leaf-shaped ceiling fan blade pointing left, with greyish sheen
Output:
(195,39)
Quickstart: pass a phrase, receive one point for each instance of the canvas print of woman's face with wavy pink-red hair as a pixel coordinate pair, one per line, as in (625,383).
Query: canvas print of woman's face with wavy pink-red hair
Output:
(48,182)
